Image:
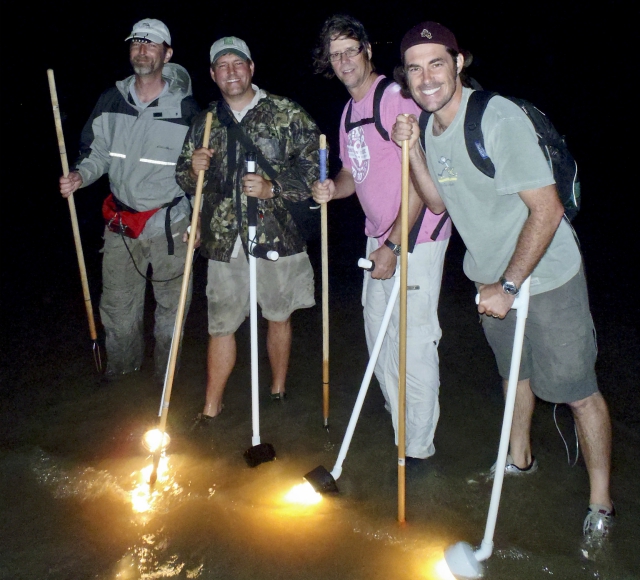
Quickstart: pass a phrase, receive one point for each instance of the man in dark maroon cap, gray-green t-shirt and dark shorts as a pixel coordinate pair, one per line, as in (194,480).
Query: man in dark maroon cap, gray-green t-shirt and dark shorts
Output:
(513,228)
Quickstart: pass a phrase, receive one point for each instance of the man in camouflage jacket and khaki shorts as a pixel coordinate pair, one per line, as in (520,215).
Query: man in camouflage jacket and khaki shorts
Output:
(286,141)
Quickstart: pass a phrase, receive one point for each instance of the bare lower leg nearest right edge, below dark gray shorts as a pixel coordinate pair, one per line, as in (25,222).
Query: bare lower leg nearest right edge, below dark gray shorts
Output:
(594,430)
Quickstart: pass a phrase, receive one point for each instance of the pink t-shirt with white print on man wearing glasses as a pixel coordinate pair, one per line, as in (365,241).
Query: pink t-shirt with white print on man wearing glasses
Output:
(376,164)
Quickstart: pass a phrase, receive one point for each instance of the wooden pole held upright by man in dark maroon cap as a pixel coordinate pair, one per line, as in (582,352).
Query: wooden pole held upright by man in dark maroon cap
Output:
(402,364)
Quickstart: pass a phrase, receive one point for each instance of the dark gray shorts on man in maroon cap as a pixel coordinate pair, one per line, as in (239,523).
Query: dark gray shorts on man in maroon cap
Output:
(559,351)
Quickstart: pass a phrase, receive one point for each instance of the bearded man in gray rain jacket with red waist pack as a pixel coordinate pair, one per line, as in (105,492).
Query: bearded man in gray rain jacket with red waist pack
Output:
(134,135)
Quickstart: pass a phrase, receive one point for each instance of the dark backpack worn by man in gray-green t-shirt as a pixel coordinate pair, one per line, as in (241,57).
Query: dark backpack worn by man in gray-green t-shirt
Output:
(553,145)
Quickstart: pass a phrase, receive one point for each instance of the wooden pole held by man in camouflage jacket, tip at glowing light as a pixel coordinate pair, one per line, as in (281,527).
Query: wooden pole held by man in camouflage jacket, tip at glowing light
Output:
(177,329)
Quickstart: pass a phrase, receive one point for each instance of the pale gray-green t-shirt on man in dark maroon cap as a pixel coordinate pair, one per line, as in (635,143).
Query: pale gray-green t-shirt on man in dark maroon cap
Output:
(488,213)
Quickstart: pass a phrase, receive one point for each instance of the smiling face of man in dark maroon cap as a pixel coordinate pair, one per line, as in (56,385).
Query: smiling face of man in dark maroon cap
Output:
(432,76)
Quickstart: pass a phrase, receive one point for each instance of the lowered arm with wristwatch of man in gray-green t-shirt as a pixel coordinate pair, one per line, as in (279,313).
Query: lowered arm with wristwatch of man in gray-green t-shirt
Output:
(545,215)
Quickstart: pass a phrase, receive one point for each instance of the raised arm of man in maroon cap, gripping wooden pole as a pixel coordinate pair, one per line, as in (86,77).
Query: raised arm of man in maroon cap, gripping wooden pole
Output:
(407,128)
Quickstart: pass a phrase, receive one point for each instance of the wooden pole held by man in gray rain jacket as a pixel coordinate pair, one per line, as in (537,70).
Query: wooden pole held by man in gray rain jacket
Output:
(74,221)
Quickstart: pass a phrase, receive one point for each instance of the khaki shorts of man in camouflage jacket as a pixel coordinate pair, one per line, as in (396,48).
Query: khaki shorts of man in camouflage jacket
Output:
(282,286)
